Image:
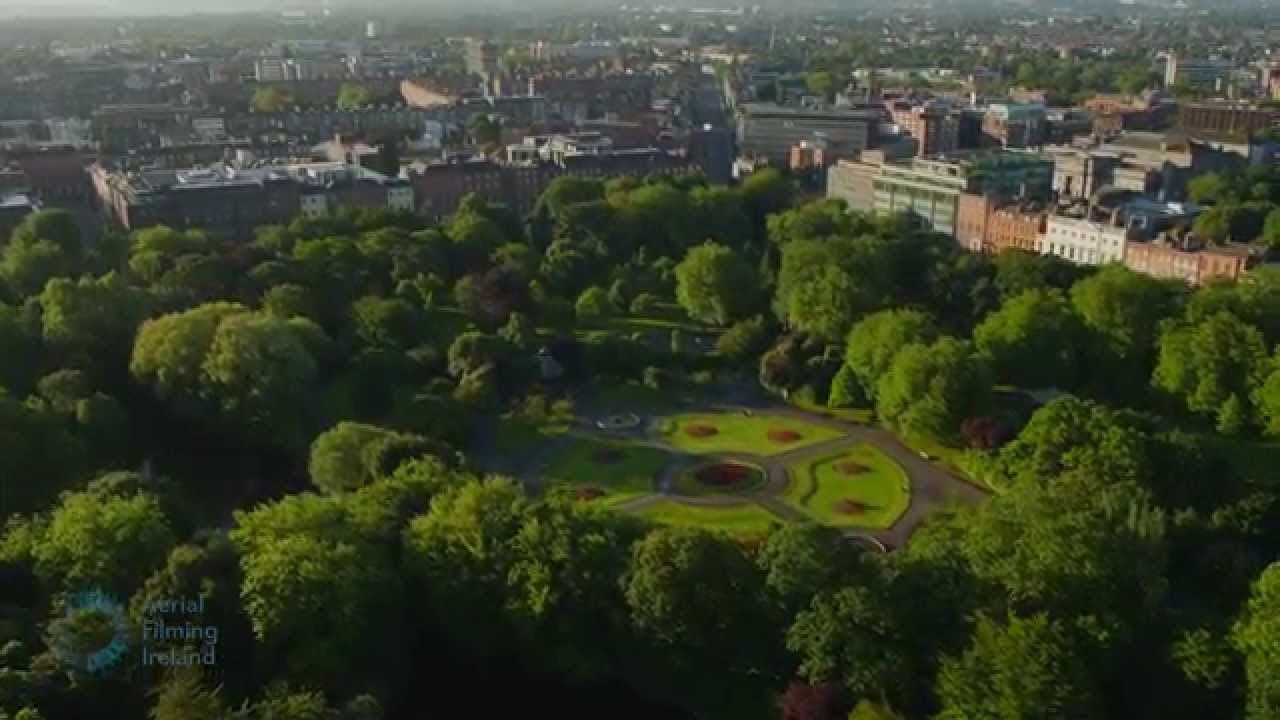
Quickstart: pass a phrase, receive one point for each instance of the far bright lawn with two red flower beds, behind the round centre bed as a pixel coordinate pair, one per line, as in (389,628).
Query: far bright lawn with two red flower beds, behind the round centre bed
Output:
(740,434)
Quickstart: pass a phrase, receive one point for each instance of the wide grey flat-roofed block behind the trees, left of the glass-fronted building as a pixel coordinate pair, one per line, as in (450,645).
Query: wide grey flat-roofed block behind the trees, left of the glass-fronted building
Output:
(771,131)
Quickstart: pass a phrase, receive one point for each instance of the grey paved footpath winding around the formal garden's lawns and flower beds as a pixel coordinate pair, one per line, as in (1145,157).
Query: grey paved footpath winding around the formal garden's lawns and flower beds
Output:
(932,487)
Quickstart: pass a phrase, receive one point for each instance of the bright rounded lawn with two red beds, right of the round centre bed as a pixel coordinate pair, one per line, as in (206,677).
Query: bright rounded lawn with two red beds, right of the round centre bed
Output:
(817,487)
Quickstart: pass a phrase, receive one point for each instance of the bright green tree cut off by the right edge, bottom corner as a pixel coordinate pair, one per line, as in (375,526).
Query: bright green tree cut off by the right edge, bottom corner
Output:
(1258,637)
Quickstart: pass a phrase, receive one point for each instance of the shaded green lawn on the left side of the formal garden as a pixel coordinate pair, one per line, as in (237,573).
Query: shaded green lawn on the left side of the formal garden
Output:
(629,475)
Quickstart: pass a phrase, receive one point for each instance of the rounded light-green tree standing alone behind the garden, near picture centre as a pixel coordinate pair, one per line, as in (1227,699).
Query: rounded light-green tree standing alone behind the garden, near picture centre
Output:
(714,284)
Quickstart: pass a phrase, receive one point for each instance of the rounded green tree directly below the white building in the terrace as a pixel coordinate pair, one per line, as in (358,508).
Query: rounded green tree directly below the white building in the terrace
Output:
(1032,340)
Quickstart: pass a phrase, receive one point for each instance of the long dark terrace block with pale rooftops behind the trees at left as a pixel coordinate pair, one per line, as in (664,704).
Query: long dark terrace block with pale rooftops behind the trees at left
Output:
(232,202)
